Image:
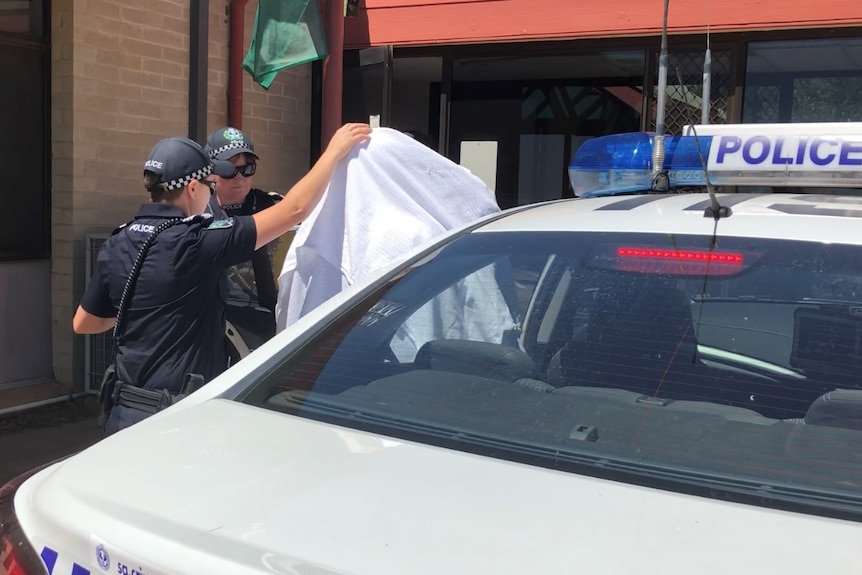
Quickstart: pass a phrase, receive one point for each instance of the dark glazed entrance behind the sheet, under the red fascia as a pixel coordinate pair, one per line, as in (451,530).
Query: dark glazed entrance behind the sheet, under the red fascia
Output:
(515,121)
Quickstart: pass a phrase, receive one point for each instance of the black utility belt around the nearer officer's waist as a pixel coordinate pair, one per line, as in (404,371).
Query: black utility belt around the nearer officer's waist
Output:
(114,392)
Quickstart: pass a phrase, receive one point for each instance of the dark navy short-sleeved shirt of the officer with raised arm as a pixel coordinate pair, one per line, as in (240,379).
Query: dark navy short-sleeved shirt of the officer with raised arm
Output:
(175,317)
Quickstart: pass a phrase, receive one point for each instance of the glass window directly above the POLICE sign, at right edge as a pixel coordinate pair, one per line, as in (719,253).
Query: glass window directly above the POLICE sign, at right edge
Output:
(804,81)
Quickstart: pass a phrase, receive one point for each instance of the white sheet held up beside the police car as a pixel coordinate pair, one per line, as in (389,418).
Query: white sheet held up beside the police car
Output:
(386,198)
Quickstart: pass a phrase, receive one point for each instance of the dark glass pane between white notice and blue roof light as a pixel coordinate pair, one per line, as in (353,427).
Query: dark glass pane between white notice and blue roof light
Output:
(539,109)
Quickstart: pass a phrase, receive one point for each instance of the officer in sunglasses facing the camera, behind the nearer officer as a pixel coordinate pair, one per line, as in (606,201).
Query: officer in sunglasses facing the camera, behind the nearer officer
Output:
(236,196)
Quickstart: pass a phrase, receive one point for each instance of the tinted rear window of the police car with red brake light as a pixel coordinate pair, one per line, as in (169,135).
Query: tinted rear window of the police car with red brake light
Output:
(651,358)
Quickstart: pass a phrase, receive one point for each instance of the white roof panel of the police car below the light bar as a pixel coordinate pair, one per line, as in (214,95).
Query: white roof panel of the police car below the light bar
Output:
(811,217)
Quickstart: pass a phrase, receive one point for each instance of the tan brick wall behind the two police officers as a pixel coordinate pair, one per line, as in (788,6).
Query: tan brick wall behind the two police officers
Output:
(119,83)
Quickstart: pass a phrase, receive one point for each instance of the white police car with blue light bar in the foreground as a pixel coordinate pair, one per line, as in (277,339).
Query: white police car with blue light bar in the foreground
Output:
(621,384)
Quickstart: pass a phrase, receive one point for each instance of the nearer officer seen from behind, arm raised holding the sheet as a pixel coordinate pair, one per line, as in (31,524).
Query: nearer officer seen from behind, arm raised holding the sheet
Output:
(172,327)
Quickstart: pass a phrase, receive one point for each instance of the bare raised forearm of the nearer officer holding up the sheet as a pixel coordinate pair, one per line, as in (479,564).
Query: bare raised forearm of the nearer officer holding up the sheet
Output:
(302,198)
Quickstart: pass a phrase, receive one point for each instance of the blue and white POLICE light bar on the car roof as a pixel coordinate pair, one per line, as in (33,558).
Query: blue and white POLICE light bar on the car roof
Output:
(622,163)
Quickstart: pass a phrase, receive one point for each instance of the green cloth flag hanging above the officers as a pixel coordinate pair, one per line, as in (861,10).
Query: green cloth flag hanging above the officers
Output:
(286,33)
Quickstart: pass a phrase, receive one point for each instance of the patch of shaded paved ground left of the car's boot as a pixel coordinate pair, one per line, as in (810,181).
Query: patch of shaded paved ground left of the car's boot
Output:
(41,435)
